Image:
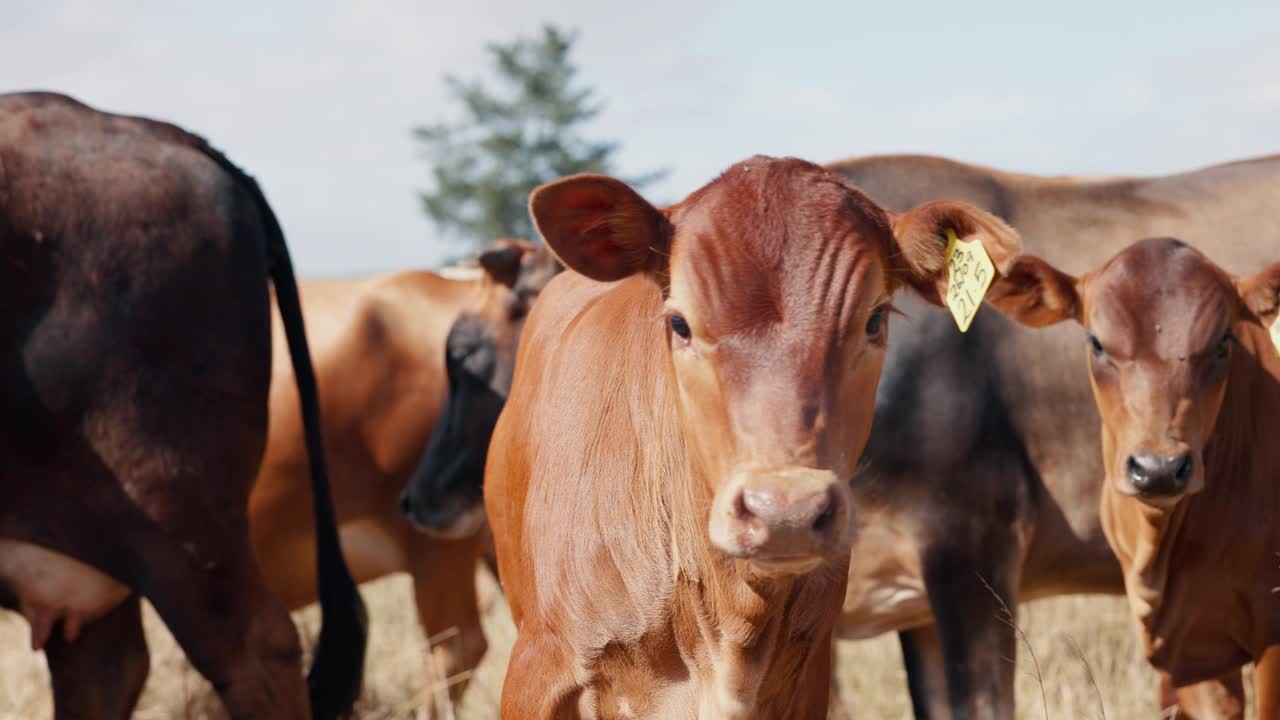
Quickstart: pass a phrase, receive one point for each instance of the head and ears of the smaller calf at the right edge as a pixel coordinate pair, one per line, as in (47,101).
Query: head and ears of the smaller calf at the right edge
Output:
(1162,325)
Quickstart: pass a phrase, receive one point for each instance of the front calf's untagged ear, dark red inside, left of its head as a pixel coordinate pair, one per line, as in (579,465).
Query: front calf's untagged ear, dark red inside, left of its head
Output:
(601,227)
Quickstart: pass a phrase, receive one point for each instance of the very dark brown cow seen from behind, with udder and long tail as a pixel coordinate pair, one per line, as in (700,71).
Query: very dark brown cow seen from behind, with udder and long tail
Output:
(135,358)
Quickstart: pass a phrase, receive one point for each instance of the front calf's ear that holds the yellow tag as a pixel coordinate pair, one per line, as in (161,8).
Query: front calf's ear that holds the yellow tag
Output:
(921,239)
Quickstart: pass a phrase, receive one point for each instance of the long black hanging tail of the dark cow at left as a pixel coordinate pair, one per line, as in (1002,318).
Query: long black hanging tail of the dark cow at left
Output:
(339,667)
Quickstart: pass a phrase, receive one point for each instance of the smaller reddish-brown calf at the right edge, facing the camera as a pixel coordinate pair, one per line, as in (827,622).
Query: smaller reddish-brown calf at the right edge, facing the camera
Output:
(1187,380)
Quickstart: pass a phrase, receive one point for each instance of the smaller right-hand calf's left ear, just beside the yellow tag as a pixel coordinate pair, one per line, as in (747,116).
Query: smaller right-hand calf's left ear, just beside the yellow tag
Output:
(1037,294)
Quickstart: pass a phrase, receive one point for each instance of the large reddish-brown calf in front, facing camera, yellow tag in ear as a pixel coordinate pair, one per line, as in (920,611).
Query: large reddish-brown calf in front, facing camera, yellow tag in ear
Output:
(668,485)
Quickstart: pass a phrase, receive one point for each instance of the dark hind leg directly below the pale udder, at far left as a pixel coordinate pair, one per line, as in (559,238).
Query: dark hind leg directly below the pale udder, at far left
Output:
(100,673)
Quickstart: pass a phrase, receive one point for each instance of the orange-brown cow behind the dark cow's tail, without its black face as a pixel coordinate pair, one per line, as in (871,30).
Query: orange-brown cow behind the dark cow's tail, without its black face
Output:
(381,356)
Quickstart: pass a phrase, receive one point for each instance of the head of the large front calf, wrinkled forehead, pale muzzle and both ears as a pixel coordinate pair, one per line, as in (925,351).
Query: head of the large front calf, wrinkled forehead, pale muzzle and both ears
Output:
(776,280)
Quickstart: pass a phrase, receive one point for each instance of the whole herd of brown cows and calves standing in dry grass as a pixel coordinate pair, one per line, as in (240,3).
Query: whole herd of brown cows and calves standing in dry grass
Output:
(687,438)
